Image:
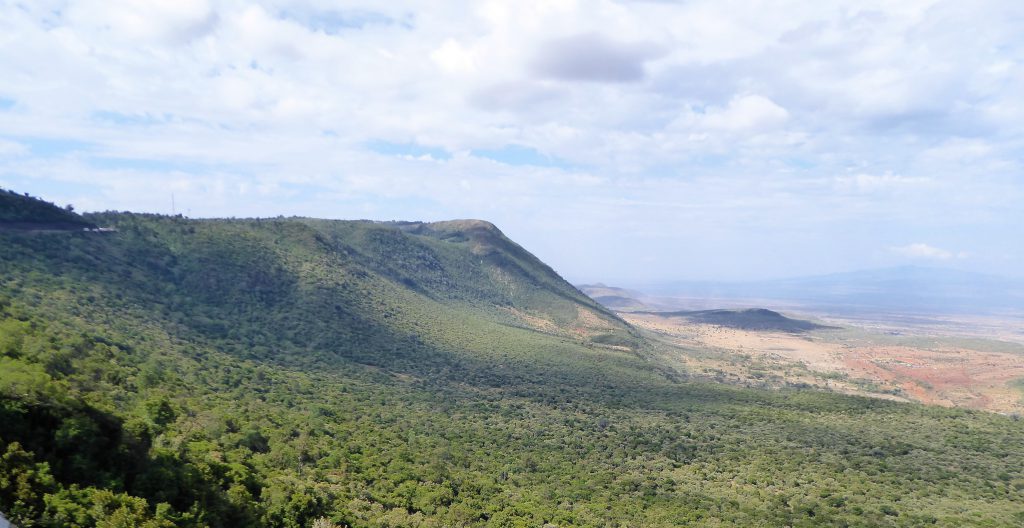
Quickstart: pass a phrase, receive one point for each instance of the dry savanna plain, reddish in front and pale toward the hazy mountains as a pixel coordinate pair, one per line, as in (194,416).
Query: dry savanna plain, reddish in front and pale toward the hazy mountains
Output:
(965,363)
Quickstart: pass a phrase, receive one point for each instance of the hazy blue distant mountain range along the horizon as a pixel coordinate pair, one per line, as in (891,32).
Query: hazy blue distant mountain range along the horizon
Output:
(905,290)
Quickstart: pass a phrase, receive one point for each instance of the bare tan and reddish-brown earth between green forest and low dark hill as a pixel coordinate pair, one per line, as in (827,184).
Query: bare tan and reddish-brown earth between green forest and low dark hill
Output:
(940,371)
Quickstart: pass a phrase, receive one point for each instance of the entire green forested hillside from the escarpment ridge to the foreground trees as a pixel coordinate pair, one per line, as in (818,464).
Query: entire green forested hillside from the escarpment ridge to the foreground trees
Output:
(276,372)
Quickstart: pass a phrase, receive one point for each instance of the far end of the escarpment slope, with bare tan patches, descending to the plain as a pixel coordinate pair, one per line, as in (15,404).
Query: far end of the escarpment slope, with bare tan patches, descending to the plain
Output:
(473,262)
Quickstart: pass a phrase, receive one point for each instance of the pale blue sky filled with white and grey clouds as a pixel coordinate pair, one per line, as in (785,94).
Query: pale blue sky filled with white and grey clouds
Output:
(621,142)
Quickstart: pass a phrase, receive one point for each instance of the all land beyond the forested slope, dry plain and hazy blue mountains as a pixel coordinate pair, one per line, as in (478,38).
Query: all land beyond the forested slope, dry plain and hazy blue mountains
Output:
(937,353)
